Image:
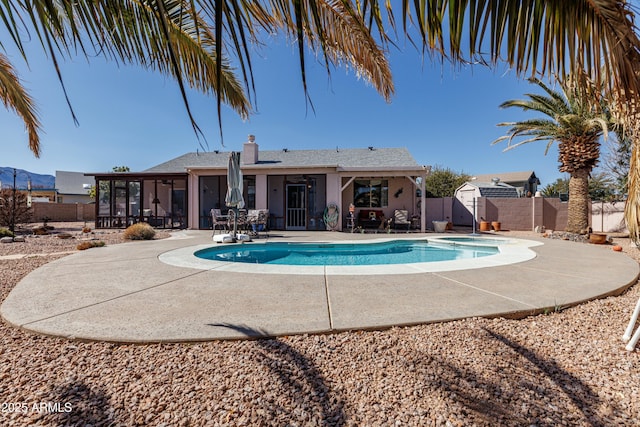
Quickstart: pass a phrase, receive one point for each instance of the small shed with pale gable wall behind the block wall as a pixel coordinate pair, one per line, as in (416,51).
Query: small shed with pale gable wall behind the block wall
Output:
(466,195)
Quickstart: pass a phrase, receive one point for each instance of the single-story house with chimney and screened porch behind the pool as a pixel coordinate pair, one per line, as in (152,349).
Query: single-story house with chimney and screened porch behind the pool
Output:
(294,185)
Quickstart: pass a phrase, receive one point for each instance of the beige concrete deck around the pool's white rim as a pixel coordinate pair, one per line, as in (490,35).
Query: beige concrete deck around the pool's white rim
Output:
(125,293)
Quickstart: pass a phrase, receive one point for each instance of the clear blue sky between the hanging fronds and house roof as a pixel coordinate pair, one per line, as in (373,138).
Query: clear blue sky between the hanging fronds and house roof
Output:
(128,116)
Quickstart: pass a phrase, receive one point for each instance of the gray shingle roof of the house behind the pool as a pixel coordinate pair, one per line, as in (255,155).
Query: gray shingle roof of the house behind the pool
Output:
(378,158)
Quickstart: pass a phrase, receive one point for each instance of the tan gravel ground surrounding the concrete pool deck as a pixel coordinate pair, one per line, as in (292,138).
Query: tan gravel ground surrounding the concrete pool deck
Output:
(564,368)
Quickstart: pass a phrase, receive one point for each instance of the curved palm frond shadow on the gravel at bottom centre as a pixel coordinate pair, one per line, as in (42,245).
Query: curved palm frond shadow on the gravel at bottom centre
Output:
(294,375)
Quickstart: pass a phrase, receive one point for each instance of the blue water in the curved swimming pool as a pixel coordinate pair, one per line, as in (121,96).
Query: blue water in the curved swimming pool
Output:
(380,253)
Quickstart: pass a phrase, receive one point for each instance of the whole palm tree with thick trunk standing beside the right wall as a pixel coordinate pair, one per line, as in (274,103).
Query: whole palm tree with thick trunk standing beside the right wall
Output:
(576,123)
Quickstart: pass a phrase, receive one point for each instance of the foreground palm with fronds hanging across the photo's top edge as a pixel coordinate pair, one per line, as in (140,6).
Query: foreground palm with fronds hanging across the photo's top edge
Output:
(196,41)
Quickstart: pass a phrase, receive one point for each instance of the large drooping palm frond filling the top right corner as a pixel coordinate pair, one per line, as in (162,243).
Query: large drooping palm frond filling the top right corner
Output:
(549,38)
